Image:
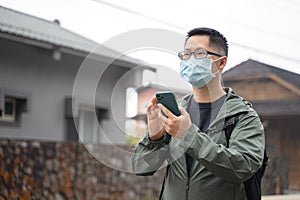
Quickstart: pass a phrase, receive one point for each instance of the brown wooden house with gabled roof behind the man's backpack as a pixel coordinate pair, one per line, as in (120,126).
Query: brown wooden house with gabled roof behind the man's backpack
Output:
(275,95)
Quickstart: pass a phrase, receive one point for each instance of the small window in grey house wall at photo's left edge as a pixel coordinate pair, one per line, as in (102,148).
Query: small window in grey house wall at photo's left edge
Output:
(8,113)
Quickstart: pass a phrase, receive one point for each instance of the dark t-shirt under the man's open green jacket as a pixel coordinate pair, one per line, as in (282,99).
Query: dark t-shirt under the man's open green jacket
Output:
(202,114)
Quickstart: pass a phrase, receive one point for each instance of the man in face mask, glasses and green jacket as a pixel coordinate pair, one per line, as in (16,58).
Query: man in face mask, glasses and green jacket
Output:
(201,163)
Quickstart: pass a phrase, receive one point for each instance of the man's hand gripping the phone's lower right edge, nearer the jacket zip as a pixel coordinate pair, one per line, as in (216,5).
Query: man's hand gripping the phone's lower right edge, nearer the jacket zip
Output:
(175,125)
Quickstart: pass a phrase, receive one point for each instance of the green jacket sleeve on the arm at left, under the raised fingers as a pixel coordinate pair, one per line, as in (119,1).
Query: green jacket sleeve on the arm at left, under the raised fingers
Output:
(147,156)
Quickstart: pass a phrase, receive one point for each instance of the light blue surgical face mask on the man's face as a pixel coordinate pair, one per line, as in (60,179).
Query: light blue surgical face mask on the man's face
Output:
(197,71)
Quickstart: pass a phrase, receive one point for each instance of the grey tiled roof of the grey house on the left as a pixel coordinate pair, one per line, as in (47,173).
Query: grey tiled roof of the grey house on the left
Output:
(23,25)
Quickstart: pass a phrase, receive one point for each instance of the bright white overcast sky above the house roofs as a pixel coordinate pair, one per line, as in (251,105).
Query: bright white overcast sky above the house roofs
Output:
(264,30)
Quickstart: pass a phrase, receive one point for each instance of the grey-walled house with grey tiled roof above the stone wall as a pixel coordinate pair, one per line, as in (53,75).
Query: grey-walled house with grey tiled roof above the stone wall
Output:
(57,85)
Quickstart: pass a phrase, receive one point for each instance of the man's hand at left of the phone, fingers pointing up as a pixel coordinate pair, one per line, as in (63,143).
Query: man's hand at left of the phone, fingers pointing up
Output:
(155,122)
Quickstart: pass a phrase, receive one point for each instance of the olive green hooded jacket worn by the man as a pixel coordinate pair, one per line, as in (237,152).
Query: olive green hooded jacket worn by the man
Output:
(217,172)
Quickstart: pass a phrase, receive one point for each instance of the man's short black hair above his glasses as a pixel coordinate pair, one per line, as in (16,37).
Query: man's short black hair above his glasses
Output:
(216,39)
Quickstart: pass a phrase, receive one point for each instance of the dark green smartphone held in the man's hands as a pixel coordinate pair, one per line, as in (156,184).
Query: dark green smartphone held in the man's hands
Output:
(167,98)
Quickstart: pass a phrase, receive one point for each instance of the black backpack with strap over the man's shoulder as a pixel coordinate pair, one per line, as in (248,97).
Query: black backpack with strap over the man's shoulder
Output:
(253,184)
